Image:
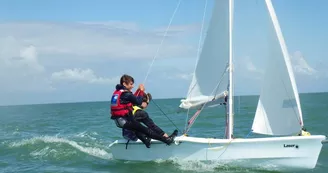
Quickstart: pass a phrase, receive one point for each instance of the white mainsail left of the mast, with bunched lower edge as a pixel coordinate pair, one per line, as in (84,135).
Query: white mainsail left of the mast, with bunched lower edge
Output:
(210,78)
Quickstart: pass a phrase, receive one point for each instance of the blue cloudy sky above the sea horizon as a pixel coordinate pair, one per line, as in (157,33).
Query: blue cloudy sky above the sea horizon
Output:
(72,51)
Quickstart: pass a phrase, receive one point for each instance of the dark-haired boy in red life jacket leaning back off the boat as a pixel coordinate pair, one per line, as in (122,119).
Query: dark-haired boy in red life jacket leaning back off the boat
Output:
(121,110)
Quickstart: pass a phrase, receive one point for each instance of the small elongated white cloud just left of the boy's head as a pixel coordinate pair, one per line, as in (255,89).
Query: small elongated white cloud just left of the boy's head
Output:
(82,75)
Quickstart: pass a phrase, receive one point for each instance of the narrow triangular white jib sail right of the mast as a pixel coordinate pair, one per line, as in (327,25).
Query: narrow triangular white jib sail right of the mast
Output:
(278,111)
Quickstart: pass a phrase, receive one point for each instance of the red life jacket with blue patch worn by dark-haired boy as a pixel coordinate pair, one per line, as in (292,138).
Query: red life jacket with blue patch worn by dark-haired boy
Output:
(117,108)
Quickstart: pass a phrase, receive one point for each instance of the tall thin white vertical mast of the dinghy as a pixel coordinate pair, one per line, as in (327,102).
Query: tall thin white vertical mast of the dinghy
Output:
(230,117)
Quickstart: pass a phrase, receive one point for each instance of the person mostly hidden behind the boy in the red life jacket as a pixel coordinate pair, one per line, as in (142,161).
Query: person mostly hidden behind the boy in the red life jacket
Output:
(142,116)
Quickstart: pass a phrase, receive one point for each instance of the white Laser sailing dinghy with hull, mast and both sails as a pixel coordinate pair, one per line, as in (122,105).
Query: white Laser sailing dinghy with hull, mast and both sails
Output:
(278,113)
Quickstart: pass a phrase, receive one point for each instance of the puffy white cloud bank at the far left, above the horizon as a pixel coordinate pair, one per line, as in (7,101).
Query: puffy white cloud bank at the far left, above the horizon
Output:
(20,68)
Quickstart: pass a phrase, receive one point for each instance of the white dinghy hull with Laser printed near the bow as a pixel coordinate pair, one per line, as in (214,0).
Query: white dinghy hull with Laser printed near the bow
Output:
(291,153)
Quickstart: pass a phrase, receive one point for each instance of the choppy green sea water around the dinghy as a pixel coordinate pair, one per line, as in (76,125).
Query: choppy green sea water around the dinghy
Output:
(74,137)
